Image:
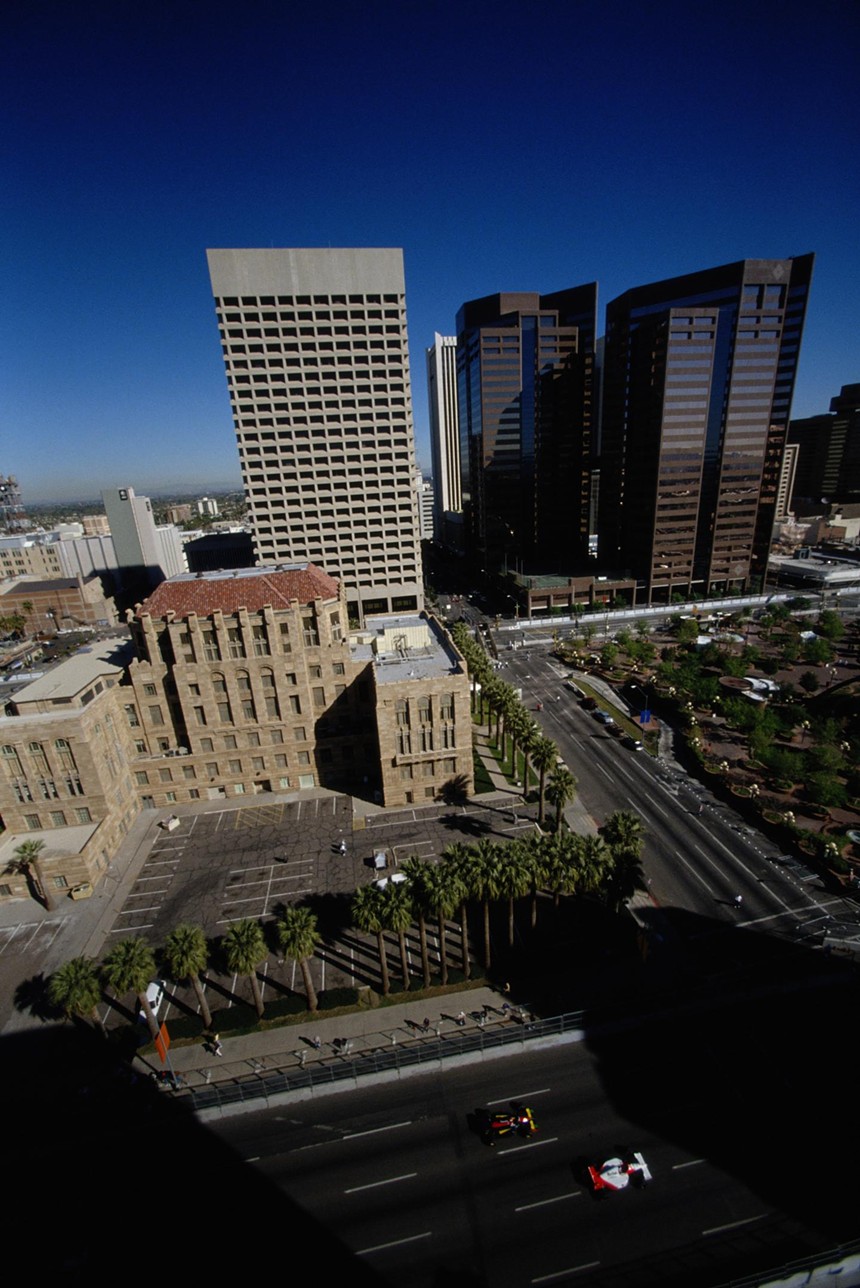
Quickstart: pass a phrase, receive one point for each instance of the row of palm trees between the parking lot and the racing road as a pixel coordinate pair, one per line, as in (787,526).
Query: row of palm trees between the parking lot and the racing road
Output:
(486,874)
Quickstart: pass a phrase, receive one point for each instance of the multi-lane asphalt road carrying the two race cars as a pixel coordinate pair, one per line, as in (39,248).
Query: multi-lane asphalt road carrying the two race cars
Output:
(401,1178)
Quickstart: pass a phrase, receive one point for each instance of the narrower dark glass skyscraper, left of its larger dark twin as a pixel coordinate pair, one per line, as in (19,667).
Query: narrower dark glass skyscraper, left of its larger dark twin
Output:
(526,377)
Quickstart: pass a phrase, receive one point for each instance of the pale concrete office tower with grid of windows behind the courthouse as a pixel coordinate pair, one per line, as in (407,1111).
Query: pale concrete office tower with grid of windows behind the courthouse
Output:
(319,373)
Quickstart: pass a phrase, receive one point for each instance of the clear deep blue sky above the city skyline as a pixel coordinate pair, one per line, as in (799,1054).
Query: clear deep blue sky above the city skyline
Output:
(505,146)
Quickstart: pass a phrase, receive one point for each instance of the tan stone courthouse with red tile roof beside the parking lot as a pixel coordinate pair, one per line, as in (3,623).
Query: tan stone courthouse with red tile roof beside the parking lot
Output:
(238,685)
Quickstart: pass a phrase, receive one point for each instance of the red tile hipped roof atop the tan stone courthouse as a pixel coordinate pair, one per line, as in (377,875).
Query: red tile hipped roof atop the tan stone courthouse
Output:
(253,589)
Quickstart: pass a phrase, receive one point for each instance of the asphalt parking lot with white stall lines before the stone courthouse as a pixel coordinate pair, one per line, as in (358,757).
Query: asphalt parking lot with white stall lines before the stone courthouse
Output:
(218,866)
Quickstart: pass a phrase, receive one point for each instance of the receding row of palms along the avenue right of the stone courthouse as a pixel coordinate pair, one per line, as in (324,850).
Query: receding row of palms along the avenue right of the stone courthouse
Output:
(498,705)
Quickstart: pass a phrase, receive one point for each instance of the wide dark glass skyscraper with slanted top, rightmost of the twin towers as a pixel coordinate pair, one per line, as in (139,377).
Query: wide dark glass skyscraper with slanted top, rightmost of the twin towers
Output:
(698,382)
